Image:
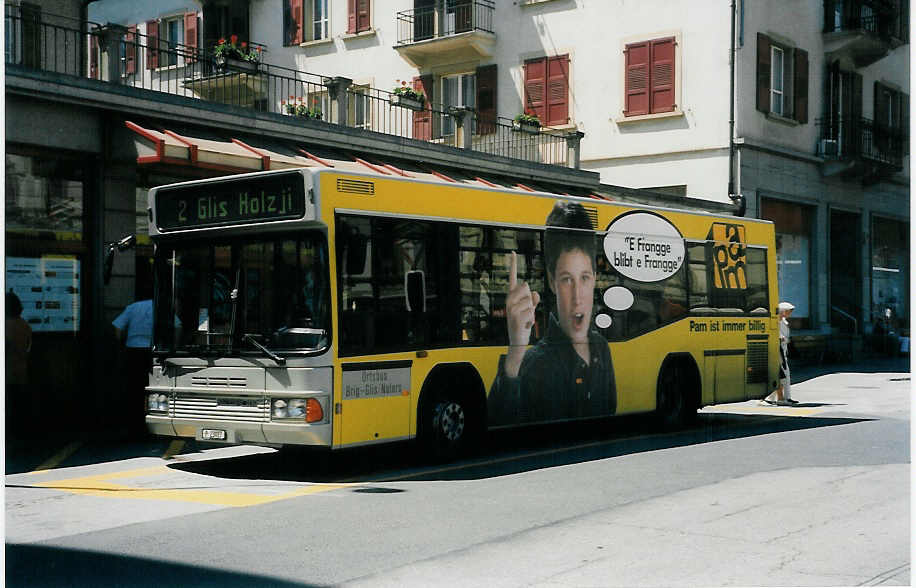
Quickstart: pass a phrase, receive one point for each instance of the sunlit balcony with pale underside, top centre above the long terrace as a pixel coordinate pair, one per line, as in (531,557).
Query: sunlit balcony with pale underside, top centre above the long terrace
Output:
(438,35)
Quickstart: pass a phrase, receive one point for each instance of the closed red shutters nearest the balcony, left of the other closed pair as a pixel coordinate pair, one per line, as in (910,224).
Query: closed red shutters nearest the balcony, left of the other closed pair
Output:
(547,89)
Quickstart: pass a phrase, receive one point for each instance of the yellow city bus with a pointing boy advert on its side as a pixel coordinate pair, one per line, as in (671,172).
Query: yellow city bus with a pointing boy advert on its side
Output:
(336,308)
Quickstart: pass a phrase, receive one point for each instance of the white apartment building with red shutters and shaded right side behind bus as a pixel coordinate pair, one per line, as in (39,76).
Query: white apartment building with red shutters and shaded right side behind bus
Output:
(819,142)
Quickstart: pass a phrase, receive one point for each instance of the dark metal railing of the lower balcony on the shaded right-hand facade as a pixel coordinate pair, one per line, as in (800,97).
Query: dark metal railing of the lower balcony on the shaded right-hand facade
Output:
(861,138)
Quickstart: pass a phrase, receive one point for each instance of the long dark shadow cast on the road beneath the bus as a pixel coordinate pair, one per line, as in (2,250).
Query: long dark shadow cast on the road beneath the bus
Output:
(506,452)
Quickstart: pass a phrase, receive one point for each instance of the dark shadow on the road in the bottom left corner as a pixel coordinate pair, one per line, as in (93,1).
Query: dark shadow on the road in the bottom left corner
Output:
(37,566)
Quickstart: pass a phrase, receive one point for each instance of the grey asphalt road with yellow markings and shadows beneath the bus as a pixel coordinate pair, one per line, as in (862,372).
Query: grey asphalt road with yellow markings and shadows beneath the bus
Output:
(817,494)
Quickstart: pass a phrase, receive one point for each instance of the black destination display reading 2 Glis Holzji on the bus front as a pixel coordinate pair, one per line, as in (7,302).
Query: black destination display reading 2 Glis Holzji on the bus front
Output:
(232,202)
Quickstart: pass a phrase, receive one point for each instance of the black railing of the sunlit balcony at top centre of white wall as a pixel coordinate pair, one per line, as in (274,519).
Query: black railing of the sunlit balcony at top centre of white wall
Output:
(433,22)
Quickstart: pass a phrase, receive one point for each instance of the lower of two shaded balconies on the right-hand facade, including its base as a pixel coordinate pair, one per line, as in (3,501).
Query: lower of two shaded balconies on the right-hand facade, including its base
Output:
(859,147)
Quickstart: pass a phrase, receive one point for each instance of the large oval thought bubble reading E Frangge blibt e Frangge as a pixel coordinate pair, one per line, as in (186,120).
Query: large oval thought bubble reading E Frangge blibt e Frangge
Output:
(644,247)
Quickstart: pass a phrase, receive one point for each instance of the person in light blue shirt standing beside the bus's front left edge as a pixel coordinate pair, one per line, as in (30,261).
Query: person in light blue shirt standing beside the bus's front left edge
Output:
(135,325)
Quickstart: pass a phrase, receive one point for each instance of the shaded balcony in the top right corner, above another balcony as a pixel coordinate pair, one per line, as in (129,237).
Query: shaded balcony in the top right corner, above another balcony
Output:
(863,30)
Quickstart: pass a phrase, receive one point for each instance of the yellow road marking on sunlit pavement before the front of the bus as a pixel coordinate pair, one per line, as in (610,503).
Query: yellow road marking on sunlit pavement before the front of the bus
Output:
(101,486)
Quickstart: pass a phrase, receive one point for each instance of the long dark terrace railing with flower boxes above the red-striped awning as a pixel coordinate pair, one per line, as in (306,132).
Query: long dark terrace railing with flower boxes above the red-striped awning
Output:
(115,55)
